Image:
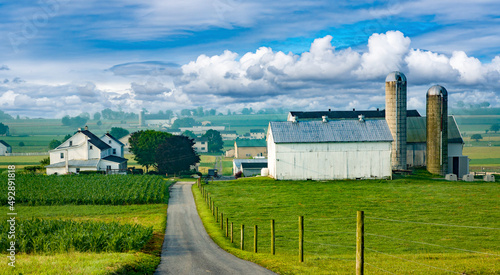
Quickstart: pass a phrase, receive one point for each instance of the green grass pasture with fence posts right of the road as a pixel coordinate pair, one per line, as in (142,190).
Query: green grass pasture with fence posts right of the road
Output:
(404,225)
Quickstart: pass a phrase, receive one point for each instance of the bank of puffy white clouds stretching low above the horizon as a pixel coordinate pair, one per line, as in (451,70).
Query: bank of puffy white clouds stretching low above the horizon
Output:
(322,77)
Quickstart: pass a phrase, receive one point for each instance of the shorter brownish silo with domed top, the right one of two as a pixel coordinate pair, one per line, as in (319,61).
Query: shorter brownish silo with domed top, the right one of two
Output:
(437,130)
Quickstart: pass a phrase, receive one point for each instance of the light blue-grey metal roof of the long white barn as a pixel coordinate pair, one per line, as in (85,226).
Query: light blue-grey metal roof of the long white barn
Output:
(331,131)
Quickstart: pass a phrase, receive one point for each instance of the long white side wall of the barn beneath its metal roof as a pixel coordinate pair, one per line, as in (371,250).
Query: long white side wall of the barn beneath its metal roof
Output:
(320,161)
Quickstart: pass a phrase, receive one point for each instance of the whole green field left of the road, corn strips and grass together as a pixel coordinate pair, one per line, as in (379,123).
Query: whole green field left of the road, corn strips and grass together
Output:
(88,224)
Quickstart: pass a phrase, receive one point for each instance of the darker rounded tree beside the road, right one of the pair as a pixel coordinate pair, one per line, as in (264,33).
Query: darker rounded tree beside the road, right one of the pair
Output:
(176,154)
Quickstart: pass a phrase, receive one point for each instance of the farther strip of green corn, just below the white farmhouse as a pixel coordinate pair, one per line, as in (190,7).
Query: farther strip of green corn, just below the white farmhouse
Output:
(35,190)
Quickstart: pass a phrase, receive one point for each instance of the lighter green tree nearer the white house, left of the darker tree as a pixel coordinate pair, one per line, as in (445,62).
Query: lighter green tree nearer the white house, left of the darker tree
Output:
(144,143)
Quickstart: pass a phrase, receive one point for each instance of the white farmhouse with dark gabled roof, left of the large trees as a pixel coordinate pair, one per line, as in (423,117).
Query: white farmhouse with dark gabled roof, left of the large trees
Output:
(84,151)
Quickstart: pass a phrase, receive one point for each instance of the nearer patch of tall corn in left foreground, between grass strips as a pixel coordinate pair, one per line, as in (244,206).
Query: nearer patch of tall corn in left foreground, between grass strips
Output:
(58,236)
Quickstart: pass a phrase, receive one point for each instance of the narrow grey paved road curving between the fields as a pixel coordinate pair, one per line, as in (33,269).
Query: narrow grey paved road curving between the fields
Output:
(187,248)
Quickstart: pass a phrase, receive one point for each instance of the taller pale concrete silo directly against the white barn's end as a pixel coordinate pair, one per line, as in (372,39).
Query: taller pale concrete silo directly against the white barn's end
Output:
(395,115)
